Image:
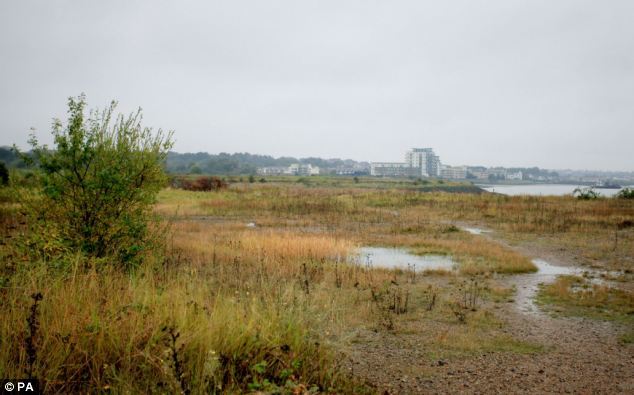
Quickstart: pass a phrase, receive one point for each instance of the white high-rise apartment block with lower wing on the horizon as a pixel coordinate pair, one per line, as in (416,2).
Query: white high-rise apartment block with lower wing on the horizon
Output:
(419,162)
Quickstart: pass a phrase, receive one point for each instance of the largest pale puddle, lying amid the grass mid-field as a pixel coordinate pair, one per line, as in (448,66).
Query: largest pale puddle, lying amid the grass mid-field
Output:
(399,258)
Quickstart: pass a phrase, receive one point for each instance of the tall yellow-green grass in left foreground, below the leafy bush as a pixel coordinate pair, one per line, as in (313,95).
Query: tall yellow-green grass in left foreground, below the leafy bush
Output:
(109,330)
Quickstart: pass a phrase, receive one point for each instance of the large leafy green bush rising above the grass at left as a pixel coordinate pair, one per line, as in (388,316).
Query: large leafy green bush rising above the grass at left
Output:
(101,179)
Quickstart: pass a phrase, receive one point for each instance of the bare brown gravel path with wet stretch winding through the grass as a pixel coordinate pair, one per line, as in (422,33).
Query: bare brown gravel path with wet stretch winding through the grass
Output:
(580,355)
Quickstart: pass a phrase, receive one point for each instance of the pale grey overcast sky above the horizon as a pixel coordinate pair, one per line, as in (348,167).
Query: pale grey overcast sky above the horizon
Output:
(510,83)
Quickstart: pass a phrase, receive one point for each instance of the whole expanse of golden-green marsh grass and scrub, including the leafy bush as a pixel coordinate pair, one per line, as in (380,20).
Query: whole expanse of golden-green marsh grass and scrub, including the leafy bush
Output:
(248,287)
